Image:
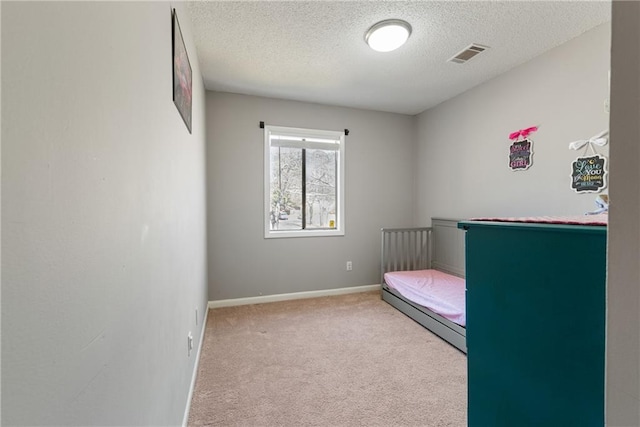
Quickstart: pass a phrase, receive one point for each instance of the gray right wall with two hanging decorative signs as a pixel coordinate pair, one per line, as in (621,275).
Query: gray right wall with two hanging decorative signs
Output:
(463,144)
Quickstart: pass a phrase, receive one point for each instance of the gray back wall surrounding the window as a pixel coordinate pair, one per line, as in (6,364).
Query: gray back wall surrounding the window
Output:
(379,189)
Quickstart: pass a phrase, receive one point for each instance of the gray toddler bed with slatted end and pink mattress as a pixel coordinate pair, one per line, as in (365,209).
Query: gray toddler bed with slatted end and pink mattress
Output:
(422,275)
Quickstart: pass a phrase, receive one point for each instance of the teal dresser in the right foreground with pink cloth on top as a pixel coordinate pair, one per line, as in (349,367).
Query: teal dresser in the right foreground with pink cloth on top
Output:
(535,324)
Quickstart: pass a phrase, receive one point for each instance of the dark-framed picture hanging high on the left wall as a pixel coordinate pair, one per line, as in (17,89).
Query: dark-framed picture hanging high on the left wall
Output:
(181,73)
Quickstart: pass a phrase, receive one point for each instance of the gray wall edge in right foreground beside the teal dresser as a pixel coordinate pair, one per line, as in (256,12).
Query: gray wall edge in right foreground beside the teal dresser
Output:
(623,316)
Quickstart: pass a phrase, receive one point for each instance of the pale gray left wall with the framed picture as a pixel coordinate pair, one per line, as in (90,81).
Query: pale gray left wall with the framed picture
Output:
(103,216)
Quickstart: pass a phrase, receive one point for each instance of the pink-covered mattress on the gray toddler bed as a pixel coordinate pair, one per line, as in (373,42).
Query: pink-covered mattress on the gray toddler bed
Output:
(440,292)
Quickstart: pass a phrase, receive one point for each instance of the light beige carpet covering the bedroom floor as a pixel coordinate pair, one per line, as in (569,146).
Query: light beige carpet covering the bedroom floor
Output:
(350,360)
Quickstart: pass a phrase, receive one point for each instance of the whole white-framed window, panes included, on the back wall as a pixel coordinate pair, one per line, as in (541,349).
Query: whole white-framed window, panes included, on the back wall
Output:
(304,182)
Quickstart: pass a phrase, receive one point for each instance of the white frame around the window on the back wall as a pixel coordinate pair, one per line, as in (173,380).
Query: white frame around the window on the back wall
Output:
(340,174)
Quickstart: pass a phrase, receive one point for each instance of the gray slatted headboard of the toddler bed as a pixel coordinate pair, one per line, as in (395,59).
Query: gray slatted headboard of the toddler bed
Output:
(405,249)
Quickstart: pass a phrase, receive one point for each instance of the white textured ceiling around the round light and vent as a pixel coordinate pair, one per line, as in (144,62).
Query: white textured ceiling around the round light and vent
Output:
(314,51)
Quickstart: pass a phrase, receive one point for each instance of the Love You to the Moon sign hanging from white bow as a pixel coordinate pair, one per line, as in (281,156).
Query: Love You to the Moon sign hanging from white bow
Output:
(589,173)
